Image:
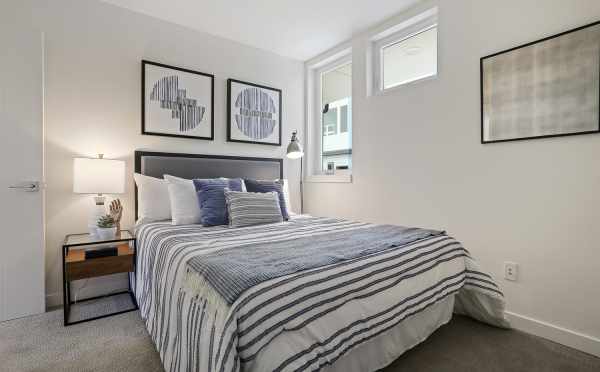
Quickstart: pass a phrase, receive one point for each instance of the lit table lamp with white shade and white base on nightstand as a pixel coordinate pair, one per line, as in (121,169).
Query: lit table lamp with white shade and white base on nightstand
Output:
(98,176)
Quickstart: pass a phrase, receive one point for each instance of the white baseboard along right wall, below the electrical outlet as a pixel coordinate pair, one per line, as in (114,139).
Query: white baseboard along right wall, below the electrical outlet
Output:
(576,340)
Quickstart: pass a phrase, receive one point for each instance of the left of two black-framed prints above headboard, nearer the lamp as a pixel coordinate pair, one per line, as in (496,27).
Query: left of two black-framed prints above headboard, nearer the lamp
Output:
(177,102)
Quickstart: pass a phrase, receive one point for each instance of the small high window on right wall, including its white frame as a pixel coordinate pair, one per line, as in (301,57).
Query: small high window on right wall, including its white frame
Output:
(406,52)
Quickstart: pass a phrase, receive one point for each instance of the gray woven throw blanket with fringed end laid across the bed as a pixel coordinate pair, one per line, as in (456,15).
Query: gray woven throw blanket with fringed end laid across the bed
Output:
(230,272)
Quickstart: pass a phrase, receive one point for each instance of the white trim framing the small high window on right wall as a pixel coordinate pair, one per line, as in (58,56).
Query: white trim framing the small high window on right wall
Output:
(385,39)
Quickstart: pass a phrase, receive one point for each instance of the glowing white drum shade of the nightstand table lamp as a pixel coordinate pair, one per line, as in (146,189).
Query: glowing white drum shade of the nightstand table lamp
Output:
(98,176)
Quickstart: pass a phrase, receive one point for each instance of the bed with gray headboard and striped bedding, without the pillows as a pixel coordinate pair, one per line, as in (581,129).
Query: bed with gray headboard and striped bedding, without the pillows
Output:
(312,293)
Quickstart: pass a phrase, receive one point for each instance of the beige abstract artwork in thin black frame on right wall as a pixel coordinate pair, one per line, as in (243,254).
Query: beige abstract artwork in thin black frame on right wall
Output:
(546,88)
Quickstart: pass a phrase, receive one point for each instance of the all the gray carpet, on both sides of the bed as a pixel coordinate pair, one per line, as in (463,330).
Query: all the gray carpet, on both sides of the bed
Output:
(121,343)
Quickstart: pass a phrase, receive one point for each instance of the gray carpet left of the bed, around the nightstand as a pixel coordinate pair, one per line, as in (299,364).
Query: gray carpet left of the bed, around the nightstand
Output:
(41,343)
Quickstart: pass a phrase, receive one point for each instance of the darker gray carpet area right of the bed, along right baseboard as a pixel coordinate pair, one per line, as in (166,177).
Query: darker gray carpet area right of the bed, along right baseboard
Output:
(467,345)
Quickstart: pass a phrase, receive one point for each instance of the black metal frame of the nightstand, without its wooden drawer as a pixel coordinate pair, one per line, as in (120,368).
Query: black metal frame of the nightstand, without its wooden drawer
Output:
(67,282)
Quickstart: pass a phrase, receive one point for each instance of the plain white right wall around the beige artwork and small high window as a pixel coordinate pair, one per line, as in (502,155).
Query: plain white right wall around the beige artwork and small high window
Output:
(418,161)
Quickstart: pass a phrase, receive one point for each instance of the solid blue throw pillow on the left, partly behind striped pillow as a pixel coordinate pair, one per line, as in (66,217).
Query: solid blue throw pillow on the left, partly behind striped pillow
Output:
(211,196)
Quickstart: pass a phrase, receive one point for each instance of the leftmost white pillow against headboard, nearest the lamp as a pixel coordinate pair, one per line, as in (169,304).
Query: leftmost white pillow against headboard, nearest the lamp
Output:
(153,199)
